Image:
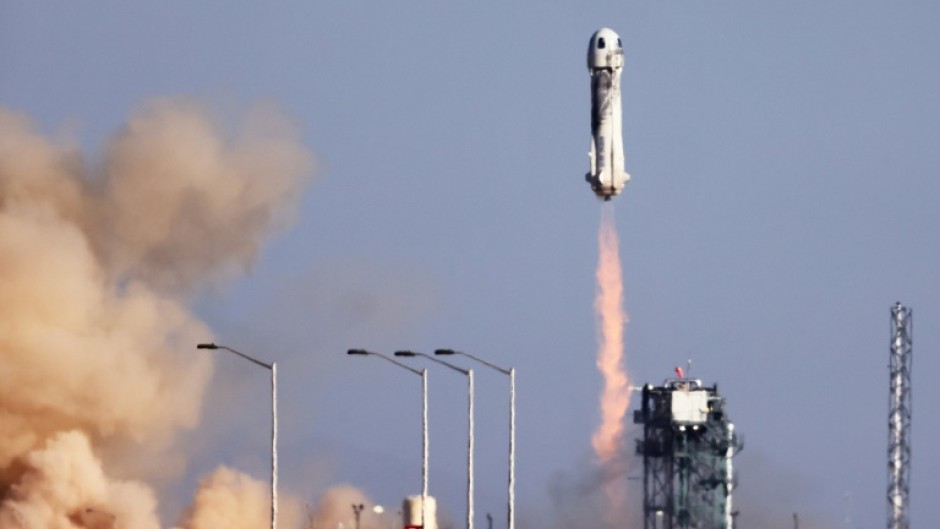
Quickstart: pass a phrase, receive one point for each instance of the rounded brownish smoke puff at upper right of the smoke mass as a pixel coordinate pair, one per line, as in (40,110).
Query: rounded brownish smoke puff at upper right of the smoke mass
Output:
(184,203)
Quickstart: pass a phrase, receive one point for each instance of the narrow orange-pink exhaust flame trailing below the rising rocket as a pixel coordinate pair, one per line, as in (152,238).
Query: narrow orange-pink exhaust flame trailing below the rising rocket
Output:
(615,397)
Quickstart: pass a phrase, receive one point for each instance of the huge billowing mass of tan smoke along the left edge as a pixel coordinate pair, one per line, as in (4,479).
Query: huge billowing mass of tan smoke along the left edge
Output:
(97,262)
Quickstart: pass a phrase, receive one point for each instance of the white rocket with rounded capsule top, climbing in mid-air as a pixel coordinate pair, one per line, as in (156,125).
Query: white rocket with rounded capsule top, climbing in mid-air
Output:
(605,64)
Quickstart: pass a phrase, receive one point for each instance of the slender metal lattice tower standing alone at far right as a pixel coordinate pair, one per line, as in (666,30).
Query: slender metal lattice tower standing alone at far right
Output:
(899,416)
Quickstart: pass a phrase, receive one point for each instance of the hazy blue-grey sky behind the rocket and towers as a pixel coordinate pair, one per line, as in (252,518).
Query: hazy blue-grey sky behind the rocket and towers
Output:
(785,193)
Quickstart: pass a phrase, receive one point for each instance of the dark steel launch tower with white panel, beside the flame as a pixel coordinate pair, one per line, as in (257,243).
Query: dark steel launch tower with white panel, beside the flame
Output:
(687,447)
